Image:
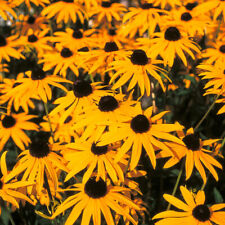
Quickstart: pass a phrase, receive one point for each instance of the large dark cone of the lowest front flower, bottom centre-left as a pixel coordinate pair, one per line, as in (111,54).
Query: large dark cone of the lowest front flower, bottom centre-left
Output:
(95,189)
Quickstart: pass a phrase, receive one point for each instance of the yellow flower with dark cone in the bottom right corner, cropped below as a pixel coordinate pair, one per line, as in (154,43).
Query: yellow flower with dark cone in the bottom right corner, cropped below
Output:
(193,211)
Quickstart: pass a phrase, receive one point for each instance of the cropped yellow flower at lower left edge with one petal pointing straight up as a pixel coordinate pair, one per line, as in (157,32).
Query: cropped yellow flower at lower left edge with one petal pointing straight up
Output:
(8,190)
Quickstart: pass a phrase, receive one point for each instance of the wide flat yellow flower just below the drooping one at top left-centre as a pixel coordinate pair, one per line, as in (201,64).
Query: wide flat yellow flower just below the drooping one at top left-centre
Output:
(75,38)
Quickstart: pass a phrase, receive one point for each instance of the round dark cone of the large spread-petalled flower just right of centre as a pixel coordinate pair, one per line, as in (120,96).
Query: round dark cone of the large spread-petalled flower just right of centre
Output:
(140,124)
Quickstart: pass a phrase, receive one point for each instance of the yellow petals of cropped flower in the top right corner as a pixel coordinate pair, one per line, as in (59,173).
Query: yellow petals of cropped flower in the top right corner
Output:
(218,7)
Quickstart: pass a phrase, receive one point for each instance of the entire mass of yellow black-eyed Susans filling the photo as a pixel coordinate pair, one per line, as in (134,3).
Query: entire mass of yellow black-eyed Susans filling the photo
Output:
(75,76)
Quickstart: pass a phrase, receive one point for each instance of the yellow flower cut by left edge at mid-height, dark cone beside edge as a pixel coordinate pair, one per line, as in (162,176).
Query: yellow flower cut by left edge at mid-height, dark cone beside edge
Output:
(13,125)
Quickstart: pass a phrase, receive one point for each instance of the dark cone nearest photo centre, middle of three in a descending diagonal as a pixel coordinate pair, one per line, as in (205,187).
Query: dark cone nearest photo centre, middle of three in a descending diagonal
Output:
(107,103)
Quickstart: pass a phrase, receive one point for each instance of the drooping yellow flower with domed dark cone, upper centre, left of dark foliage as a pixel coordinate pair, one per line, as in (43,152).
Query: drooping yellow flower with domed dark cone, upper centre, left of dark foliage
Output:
(137,69)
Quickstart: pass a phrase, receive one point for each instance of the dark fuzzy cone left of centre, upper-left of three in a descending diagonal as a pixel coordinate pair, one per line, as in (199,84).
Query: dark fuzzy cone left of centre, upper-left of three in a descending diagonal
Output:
(82,88)
